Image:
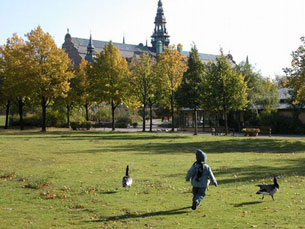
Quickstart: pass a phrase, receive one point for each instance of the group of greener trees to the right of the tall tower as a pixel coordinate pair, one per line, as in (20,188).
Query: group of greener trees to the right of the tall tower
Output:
(222,87)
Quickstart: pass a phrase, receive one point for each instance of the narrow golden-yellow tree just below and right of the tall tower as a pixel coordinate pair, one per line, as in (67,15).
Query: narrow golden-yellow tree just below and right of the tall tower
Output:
(171,66)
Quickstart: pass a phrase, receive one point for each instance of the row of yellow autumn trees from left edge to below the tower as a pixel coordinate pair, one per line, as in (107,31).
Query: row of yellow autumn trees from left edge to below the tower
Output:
(36,71)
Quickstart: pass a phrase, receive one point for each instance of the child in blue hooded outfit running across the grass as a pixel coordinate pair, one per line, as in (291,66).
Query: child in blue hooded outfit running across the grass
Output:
(199,174)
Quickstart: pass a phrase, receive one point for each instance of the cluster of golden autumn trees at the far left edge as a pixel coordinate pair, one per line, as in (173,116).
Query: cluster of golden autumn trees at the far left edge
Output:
(35,70)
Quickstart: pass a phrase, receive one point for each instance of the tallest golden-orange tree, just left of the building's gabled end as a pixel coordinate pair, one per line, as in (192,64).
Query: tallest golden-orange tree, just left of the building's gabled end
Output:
(50,68)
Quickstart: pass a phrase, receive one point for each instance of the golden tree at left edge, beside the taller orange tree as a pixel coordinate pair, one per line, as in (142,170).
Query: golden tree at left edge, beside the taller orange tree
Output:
(18,83)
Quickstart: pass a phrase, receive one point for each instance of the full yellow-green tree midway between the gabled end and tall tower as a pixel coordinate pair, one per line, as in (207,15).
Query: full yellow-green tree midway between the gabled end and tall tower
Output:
(109,76)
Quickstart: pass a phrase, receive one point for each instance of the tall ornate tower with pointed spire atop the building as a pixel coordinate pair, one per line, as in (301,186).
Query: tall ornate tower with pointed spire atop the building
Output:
(160,32)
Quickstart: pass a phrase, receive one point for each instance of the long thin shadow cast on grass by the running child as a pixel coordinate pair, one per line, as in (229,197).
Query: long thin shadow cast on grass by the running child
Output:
(177,211)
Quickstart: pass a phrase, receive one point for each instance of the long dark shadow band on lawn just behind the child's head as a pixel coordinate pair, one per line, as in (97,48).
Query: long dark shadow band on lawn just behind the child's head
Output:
(222,146)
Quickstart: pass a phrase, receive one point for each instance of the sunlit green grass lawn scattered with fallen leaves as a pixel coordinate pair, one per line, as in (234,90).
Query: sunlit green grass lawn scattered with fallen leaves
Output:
(73,179)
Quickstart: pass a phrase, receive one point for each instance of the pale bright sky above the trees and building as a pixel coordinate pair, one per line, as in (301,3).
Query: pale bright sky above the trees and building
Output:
(267,31)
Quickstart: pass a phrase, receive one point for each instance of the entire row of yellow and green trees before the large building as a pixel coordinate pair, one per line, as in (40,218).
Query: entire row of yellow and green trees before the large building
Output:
(36,71)
